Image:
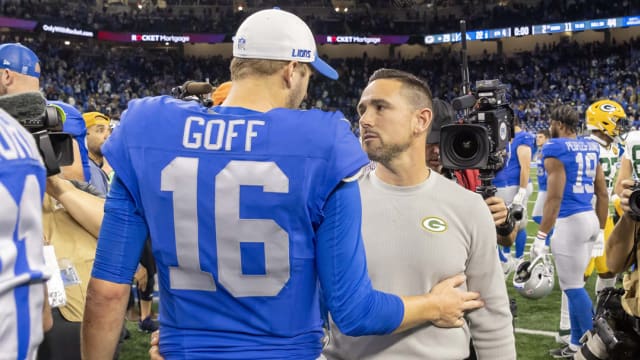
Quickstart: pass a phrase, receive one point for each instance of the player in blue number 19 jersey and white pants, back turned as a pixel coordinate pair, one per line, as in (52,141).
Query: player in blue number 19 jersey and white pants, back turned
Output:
(574,175)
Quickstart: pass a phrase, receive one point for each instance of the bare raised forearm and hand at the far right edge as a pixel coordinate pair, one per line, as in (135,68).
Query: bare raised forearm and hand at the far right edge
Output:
(621,240)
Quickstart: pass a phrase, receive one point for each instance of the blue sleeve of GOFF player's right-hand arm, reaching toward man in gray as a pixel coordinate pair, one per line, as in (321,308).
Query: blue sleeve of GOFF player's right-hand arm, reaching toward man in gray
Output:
(356,308)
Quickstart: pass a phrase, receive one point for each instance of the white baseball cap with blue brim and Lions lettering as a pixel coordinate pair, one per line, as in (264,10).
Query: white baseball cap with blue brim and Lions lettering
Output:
(276,34)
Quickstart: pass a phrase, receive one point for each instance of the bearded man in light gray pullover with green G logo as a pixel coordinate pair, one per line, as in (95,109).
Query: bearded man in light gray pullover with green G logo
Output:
(418,228)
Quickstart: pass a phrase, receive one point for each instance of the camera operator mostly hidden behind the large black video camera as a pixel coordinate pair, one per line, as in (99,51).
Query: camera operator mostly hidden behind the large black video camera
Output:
(443,114)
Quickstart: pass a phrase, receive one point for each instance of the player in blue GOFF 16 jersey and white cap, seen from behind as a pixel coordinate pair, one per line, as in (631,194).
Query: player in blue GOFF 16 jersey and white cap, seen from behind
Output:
(251,207)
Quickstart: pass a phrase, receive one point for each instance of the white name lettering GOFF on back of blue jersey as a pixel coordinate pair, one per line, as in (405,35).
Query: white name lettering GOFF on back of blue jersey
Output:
(216,134)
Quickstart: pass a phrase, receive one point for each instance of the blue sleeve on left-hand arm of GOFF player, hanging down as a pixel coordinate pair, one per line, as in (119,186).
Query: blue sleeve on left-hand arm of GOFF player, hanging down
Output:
(122,237)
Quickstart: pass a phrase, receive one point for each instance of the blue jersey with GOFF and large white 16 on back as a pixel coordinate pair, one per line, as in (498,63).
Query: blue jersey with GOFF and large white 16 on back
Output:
(232,199)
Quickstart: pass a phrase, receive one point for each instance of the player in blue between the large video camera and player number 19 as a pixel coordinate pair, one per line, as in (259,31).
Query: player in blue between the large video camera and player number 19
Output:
(513,185)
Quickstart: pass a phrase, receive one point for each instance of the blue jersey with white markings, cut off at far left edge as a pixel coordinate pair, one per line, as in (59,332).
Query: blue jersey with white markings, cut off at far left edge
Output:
(22,183)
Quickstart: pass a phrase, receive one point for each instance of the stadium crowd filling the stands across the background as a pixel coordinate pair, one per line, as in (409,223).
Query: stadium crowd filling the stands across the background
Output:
(97,77)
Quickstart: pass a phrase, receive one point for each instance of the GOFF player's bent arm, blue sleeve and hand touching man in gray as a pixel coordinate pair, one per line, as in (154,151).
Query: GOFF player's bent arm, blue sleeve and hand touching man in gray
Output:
(358,309)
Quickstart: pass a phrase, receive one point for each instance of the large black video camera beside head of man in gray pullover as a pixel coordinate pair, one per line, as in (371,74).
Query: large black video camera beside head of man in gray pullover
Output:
(481,141)
